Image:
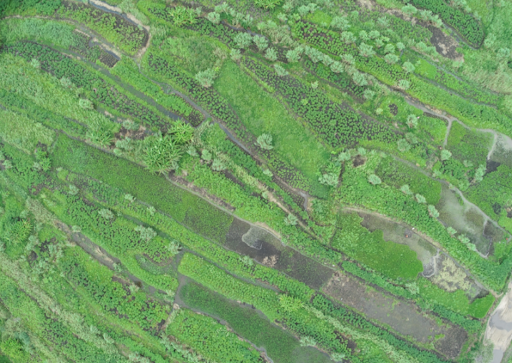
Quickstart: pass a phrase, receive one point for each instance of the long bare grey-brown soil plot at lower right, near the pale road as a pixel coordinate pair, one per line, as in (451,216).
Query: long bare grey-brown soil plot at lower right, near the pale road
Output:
(401,316)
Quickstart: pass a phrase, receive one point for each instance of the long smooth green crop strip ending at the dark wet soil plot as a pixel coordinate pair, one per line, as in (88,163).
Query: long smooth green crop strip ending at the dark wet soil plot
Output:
(183,206)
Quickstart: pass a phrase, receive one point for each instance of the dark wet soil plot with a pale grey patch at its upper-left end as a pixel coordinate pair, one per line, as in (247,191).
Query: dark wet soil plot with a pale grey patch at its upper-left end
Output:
(262,246)
